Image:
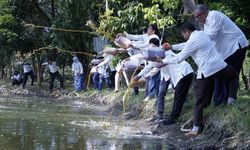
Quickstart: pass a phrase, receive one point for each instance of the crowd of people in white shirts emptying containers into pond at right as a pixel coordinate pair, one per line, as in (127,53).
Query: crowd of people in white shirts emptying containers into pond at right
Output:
(218,50)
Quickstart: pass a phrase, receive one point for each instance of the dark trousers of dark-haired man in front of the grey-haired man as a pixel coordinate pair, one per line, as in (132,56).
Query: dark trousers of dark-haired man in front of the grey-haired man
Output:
(204,89)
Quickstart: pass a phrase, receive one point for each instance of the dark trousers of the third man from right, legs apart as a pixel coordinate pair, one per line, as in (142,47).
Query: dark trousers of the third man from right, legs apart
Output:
(180,94)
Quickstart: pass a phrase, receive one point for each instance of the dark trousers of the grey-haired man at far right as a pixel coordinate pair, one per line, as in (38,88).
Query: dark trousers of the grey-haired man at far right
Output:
(221,89)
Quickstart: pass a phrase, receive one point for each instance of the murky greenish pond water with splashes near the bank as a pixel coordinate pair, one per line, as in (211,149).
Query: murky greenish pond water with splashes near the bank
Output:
(41,124)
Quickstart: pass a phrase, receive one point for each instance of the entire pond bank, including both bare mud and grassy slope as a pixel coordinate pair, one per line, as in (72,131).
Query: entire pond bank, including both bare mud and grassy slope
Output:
(226,126)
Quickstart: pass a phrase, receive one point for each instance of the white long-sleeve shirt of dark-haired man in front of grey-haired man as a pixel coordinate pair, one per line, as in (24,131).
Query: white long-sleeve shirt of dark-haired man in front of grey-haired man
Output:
(201,49)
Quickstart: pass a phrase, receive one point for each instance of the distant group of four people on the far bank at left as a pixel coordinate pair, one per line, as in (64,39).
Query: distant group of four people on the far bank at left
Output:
(77,71)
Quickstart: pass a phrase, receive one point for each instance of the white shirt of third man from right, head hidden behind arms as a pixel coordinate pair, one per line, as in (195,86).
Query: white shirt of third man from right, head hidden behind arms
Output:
(175,71)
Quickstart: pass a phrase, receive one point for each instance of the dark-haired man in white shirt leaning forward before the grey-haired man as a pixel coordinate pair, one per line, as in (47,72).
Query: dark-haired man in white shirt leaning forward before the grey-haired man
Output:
(210,66)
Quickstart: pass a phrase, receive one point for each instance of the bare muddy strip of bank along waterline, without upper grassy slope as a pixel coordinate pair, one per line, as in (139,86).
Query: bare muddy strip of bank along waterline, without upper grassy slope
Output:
(215,135)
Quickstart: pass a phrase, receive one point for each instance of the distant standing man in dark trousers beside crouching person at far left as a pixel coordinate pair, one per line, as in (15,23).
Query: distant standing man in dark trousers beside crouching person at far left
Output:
(27,71)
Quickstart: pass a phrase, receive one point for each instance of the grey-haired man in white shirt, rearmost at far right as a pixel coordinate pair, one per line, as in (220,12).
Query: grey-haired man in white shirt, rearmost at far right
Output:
(229,41)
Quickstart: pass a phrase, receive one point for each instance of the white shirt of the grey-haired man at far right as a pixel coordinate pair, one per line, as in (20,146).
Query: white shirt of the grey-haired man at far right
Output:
(224,33)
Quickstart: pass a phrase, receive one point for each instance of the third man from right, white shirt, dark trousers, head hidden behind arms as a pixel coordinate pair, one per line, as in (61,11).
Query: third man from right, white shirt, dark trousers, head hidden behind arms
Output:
(180,75)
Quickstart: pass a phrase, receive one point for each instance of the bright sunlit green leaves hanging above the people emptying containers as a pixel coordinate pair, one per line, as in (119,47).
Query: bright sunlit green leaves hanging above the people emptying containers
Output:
(134,16)
